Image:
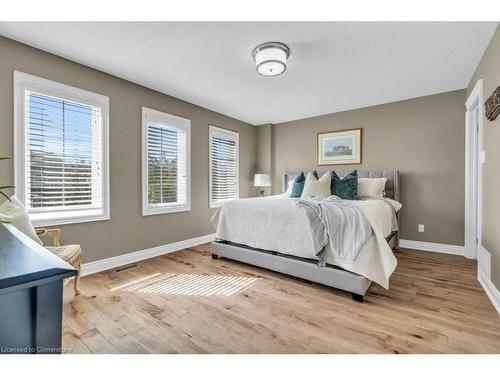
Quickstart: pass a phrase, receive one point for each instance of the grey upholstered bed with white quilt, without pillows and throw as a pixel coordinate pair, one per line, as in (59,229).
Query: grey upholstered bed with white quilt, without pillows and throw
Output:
(271,233)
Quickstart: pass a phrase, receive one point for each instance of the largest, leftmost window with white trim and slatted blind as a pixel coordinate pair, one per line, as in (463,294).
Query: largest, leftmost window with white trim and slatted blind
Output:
(61,151)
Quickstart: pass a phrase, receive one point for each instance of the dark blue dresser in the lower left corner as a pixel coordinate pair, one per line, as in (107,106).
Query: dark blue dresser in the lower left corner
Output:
(31,287)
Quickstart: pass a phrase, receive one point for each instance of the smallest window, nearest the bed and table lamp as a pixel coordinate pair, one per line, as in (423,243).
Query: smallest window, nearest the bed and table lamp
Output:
(223,166)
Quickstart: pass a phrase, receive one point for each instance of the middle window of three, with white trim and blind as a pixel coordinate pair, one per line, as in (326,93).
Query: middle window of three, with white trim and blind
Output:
(166,142)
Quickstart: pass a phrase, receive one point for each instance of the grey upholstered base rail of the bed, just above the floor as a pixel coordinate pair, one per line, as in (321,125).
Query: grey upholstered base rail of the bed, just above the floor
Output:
(329,276)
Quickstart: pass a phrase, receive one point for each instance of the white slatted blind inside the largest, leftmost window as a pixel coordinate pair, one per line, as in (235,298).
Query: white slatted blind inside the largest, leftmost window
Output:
(63,154)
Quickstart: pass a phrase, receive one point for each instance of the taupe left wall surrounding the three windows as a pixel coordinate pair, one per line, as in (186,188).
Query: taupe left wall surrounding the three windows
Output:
(127,230)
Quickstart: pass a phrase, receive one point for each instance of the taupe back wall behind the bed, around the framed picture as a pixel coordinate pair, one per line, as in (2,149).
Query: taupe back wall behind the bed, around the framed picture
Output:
(423,138)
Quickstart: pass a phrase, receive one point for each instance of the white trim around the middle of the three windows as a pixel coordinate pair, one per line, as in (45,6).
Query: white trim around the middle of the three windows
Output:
(177,122)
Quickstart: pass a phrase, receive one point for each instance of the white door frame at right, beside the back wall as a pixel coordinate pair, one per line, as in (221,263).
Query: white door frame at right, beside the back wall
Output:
(473,170)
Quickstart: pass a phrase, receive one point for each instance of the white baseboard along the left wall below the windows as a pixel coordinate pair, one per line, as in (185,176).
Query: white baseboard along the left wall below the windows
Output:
(136,256)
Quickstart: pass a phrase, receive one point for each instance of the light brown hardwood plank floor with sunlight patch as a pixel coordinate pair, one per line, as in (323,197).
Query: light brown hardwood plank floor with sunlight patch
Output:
(185,302)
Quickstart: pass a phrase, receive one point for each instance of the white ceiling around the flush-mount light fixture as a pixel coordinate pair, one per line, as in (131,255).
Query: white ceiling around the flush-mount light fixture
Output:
(333,66)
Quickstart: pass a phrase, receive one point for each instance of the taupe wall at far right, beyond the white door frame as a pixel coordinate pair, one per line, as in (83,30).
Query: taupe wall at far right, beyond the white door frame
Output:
(489,70)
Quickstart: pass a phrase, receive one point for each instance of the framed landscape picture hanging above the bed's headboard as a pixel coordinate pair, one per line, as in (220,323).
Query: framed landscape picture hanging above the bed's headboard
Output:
(339,147)
